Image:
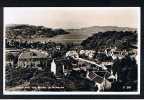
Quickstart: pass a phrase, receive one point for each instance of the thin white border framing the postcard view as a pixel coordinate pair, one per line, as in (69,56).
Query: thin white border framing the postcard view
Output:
(75,93)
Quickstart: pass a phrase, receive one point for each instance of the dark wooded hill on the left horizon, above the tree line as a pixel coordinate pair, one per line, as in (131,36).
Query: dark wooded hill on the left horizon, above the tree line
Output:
(31,31)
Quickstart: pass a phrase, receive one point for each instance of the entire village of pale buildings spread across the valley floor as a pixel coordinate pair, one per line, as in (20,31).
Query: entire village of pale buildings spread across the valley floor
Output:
(99,72)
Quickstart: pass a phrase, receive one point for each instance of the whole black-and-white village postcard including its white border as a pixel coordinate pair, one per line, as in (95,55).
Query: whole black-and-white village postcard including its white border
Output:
(71,50)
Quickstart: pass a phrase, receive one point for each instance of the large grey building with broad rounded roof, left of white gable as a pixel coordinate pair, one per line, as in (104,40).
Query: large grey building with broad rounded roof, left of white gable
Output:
(32,58)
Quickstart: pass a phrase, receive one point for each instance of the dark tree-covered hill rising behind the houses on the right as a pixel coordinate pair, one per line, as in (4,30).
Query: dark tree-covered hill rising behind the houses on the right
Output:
(121,40)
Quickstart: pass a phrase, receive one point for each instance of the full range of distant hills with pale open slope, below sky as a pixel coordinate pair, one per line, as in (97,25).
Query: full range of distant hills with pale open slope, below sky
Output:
(41,33)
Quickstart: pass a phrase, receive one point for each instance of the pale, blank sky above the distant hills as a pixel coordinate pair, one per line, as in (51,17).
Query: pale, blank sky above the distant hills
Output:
(73,17)
